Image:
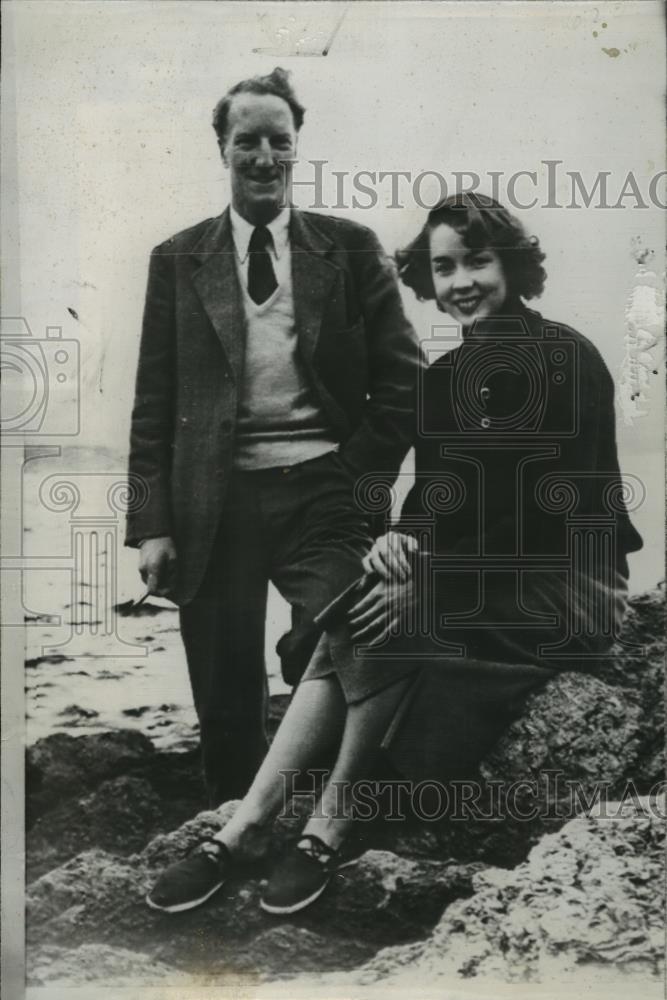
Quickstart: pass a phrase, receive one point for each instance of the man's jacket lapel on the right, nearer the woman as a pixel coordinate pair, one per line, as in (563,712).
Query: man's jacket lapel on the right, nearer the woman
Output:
(313,278)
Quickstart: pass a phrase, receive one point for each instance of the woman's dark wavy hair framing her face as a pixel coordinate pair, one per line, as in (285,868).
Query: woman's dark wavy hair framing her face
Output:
(482,223)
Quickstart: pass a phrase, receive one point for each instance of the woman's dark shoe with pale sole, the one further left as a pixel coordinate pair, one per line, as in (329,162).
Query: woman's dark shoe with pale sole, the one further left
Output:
(190,882)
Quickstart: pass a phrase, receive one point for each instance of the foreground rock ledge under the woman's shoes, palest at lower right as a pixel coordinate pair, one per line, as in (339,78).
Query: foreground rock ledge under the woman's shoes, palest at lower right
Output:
(586,906)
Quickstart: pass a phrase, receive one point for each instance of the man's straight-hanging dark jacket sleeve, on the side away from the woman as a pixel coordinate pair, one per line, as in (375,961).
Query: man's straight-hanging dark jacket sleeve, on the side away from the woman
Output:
(151,432)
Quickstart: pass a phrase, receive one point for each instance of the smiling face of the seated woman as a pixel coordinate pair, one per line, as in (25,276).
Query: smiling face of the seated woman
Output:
(469,284)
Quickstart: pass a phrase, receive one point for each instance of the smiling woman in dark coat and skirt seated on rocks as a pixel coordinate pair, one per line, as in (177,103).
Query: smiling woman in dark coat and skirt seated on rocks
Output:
(509,562)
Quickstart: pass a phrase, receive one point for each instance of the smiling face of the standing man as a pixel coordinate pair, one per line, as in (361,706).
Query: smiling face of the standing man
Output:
(260,133)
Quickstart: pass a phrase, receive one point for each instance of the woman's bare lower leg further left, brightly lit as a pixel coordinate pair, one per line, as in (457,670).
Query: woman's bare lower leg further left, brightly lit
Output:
(312,725)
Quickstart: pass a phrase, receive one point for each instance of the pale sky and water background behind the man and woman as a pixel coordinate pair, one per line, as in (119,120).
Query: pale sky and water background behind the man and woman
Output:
(108,149)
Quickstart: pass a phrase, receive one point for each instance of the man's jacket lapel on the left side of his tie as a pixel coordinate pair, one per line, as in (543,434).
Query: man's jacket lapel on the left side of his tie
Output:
(218,287)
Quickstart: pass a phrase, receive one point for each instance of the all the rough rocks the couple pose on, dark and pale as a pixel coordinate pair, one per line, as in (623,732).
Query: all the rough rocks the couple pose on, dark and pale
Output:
(101,808)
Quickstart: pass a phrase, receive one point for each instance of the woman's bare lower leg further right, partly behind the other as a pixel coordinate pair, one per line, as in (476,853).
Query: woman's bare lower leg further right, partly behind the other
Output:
(365,725)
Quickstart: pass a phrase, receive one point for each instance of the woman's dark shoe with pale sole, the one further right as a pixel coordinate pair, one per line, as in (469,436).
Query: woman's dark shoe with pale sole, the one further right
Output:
(302,876)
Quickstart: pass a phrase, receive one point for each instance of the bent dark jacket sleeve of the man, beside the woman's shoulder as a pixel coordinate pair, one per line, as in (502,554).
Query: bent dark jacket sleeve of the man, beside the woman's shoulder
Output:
(381,440)
